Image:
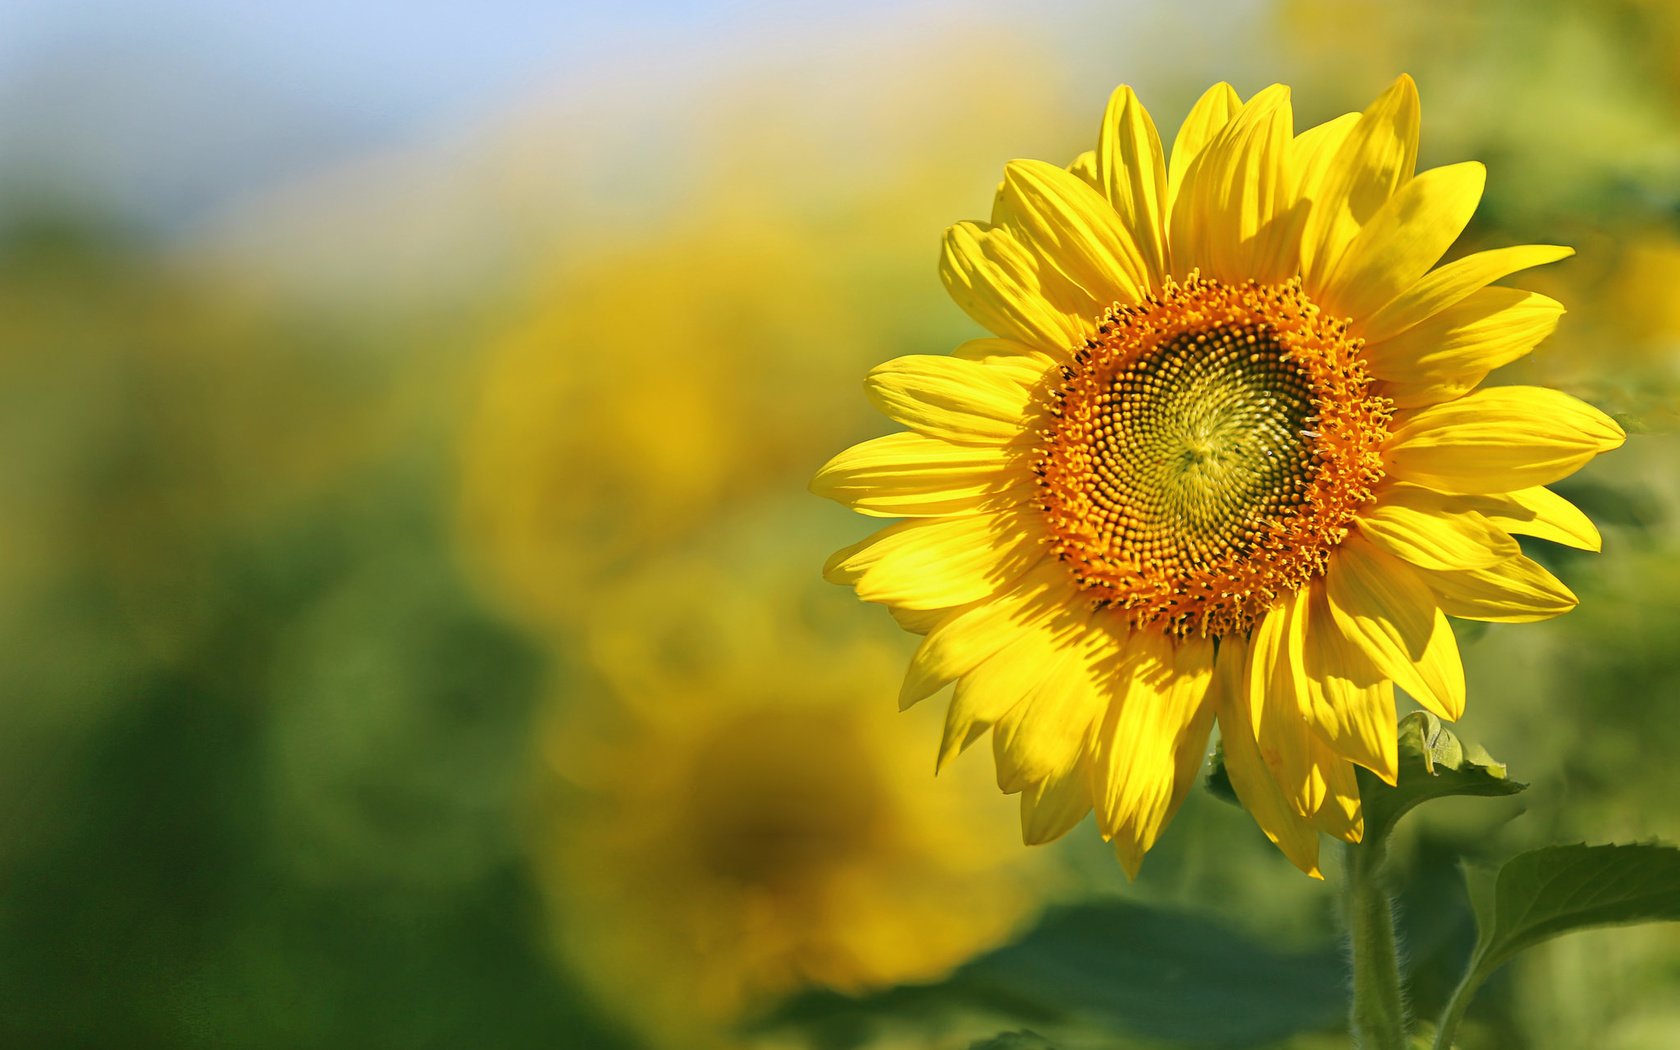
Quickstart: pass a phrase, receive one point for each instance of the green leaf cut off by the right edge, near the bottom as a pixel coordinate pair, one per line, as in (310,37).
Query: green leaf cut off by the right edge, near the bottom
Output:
(1563,888)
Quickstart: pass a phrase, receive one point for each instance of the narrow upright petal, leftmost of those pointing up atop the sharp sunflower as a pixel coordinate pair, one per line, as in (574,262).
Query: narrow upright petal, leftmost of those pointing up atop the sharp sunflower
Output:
(1131,174)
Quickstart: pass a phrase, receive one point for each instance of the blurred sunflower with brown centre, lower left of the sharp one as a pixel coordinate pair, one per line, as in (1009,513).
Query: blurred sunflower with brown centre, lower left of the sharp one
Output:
(738,822)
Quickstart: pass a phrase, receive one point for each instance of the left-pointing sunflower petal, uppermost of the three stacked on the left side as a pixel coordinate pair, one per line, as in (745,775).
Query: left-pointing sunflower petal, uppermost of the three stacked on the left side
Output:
(950,399)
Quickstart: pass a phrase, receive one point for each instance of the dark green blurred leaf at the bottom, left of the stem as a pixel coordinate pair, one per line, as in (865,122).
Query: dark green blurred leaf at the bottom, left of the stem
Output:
(1115,967)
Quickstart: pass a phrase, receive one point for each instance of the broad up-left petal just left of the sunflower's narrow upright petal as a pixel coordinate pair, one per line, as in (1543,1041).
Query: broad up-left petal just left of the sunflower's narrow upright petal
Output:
(1073,231)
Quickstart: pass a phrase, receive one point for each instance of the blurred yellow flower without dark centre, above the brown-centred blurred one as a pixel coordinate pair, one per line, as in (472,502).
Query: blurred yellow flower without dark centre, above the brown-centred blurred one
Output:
(646,396)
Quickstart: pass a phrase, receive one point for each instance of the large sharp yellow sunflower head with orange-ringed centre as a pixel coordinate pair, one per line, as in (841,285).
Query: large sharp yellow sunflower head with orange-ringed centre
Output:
(1226,459)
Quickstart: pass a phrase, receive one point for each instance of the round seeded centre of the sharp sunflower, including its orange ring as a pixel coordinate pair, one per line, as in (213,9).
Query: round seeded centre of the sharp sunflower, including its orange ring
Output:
(1207,451)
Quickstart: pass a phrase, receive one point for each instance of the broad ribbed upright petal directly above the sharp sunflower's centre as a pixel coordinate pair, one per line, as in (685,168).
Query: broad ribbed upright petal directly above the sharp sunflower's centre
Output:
(1234,218)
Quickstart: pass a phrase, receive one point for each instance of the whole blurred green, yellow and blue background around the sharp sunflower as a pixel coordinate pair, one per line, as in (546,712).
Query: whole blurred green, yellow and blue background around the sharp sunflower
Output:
(411,626)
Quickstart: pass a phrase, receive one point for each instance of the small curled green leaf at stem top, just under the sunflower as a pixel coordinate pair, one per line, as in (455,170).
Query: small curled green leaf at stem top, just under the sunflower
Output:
(1434,764)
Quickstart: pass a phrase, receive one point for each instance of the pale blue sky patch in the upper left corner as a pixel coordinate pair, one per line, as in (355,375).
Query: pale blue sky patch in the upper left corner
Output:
(165,108)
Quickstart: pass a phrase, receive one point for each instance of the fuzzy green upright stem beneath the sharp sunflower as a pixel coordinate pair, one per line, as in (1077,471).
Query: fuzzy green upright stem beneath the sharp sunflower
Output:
(1378,1012)
